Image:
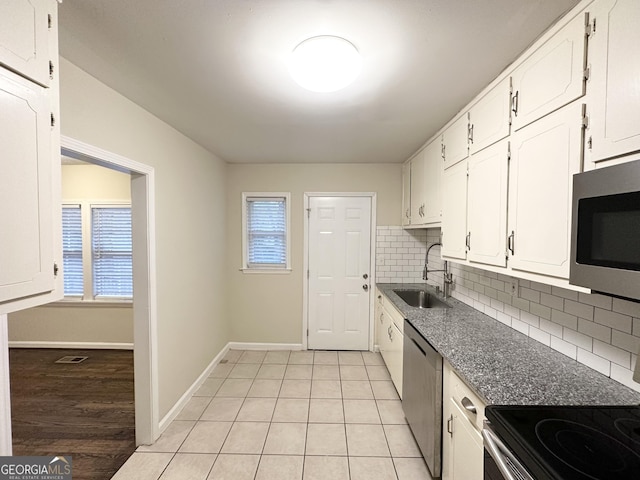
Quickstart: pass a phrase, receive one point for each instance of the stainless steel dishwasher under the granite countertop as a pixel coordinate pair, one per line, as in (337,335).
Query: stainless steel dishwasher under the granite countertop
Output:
(422,396)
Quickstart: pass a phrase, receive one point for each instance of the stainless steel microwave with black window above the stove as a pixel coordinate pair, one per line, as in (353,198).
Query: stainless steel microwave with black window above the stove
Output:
(605,230)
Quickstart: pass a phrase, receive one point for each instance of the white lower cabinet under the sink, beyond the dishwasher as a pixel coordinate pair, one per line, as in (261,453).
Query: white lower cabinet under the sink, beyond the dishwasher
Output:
(390,338)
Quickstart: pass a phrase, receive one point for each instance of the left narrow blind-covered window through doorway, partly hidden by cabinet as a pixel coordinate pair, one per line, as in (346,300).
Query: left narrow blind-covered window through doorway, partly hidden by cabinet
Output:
(72,250)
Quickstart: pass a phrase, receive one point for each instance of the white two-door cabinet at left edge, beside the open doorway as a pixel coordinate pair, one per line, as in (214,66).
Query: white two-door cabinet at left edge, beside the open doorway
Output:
(30,244)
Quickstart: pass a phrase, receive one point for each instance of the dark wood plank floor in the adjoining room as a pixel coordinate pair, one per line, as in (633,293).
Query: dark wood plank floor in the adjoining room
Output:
(84,410)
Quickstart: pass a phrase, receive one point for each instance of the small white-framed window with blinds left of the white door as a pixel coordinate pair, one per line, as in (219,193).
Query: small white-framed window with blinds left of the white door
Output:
(265,222)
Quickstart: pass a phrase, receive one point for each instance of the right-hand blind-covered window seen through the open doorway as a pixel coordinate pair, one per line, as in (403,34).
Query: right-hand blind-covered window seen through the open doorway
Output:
(111,251)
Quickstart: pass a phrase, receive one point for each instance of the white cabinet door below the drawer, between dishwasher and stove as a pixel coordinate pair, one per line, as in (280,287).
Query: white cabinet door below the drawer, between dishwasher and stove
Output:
(462,446)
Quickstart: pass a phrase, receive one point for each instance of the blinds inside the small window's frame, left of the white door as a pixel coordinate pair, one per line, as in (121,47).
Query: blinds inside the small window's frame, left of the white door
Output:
(266,232)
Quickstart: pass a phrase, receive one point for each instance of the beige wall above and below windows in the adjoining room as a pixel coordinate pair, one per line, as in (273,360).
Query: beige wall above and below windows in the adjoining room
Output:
(80,323)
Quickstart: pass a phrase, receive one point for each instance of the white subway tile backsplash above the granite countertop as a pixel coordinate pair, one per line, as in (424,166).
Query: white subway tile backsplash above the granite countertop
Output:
(596,330)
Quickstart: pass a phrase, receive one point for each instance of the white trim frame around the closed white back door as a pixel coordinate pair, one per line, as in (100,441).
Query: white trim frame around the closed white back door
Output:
(305,277)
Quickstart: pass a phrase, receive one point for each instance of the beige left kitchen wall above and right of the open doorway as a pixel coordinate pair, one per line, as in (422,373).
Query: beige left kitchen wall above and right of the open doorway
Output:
(190,223)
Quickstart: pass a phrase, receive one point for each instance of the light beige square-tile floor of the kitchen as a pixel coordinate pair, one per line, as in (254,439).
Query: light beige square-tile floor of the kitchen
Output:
(283,415)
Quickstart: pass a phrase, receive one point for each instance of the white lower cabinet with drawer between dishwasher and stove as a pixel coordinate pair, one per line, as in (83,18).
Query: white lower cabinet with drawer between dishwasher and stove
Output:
(462,446)
